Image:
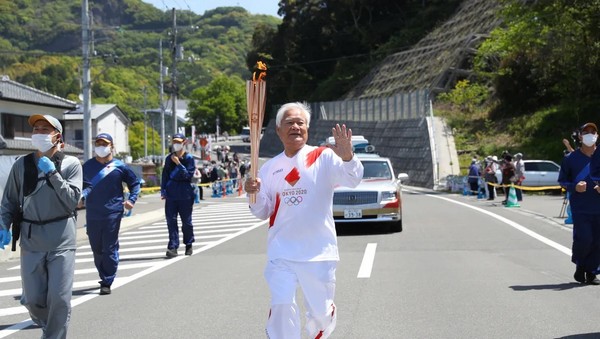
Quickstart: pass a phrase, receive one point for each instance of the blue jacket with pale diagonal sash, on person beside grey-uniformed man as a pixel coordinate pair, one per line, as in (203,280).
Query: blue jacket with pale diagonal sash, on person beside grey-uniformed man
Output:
(105,200)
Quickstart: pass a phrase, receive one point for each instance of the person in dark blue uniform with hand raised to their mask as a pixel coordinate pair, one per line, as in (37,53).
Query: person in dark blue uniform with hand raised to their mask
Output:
(177,191)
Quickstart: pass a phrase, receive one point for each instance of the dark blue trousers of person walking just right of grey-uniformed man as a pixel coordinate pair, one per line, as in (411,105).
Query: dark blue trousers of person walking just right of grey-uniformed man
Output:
(104,241)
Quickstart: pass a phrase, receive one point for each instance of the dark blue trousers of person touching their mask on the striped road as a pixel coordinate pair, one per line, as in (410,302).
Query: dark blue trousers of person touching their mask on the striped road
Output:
(183,208)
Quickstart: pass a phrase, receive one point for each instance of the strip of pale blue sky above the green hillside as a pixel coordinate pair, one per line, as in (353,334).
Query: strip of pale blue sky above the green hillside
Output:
(199,6)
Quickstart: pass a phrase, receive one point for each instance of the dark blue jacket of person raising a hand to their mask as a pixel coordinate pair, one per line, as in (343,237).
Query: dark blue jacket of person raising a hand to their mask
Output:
(176,183)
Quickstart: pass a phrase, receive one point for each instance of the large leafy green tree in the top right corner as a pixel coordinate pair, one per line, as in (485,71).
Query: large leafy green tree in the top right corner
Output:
(546,54)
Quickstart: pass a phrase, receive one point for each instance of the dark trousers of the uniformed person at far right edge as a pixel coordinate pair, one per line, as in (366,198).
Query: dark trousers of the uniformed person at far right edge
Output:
(586,241)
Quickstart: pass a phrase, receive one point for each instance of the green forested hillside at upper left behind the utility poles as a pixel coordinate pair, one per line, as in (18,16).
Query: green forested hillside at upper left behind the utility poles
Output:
(41,47)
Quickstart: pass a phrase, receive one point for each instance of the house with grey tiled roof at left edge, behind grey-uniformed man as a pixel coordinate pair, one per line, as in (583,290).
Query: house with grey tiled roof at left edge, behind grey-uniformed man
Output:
(17,103)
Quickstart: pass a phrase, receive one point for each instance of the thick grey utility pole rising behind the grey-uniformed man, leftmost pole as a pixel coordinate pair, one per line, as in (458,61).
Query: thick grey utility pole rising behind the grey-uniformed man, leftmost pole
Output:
(87,103)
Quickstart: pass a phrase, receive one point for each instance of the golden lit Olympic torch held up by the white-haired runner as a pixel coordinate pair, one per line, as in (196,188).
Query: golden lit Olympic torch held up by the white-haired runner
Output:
(256,96)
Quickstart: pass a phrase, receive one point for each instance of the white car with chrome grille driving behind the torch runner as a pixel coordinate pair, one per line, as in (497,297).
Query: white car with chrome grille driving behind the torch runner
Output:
(378,197)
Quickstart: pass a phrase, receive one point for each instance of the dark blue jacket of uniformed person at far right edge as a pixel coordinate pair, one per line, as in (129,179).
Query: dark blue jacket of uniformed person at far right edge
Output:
(587,202)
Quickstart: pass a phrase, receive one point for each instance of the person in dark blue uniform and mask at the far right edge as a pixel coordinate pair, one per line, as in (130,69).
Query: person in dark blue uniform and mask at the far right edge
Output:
(584,198)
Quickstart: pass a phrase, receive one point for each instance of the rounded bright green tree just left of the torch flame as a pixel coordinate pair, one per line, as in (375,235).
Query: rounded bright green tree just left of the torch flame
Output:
(225,98)
